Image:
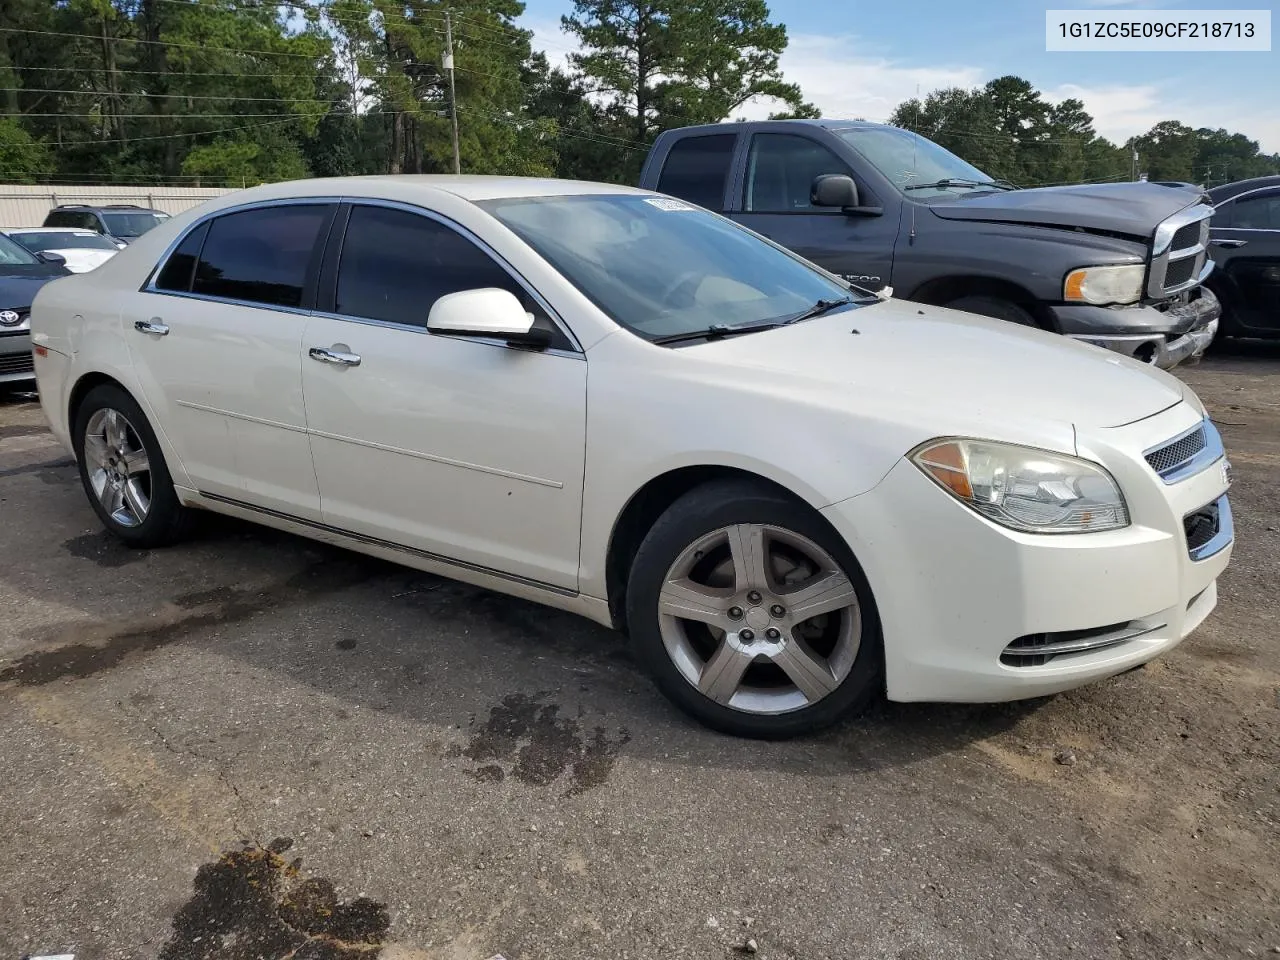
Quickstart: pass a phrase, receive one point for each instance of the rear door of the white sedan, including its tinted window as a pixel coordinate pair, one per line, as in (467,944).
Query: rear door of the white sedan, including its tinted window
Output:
(216,341)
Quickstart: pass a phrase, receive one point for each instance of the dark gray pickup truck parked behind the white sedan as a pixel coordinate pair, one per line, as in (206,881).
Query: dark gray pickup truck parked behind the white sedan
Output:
(1121,266)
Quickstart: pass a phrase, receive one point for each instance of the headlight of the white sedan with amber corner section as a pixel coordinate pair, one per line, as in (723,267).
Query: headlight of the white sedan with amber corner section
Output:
(1025,488)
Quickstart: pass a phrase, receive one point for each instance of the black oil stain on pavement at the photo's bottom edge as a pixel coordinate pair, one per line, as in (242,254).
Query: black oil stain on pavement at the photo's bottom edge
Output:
(253,904)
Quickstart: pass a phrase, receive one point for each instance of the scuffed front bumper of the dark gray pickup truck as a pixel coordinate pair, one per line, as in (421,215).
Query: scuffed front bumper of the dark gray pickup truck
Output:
(1167,336)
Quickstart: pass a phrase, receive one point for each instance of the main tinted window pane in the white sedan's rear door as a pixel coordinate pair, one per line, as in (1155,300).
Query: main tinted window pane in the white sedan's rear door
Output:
(262,255)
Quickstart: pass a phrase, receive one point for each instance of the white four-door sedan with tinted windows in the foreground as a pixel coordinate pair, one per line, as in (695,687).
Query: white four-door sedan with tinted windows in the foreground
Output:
(792,495)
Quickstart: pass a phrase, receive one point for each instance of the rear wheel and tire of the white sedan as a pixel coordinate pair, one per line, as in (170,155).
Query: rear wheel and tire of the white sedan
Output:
(124,470)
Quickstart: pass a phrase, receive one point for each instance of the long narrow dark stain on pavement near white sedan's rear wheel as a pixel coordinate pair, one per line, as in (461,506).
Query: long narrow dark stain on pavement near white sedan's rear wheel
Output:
(84,651)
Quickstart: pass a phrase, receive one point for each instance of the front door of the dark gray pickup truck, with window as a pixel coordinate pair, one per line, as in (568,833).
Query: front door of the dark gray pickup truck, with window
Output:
(780,172)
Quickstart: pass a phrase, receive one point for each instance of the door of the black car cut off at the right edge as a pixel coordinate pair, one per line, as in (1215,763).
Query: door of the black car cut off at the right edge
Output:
(1246,249)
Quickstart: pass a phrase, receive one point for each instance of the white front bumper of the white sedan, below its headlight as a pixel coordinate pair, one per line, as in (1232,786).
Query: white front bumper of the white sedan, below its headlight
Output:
(958,595)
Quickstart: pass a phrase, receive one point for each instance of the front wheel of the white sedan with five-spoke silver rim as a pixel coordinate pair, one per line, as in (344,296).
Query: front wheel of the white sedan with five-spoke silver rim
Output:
(752,614)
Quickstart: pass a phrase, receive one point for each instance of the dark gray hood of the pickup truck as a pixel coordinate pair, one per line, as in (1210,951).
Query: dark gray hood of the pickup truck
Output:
(1132,209)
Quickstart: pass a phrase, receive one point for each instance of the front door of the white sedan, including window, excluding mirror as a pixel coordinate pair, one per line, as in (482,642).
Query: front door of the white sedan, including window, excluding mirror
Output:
(467,450)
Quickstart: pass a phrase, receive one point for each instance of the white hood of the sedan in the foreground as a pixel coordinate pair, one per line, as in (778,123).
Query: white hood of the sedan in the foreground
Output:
(950,368)
